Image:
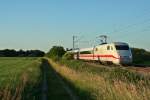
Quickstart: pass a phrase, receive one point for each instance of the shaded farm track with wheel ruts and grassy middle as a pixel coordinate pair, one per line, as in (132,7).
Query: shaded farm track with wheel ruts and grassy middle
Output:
(53,87)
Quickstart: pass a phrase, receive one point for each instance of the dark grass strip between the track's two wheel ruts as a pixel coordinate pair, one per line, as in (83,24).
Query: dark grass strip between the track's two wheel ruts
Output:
(55,88)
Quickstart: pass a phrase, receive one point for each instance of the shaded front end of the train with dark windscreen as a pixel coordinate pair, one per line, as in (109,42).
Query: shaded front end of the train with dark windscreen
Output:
(124,52)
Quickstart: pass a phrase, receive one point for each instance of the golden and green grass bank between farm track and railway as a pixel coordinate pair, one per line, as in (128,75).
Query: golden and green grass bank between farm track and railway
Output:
(103,83)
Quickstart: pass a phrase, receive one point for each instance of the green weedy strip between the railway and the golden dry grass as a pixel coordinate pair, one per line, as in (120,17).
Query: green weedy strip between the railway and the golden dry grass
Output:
(110,73)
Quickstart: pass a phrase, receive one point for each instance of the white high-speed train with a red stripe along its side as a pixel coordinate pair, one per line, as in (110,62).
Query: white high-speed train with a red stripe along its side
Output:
(116,53)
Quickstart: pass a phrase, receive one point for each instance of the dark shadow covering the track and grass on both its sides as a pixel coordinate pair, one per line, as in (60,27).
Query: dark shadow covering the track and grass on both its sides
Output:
(55,90)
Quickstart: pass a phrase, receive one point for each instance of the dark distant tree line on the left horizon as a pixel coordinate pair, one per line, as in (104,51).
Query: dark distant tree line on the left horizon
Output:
(21,53)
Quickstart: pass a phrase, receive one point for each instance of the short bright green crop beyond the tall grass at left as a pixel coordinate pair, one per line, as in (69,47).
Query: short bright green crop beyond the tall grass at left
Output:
(12,69)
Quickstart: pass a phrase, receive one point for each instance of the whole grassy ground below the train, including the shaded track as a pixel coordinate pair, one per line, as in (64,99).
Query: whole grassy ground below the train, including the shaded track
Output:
(22,78)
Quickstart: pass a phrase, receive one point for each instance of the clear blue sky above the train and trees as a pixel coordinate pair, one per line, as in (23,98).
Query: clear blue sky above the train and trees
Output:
(41,24)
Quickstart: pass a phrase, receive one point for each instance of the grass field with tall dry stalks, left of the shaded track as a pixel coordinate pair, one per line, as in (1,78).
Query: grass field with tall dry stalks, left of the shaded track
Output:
(19,77)
